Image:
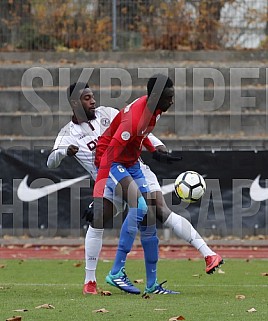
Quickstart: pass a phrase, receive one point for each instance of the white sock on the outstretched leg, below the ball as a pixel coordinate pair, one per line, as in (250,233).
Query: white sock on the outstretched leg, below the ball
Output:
(184,229)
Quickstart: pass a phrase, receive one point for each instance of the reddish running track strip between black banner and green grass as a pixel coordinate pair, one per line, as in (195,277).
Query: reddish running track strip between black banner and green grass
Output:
(108,252)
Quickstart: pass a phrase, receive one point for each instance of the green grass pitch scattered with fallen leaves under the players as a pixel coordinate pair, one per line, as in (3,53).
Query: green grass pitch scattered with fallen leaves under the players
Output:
(30,283)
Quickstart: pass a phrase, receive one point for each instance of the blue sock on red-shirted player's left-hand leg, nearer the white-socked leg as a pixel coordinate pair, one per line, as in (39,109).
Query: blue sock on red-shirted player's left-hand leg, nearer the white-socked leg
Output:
(128,233)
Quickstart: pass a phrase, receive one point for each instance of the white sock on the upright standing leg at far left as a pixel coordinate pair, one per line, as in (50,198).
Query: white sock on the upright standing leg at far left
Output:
(93,244)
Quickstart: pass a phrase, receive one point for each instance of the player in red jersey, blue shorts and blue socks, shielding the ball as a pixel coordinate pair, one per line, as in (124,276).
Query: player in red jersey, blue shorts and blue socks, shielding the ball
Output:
(118,151)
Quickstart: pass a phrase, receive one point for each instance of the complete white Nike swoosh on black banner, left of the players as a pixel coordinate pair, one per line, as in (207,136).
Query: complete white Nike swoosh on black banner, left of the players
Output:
(28,194)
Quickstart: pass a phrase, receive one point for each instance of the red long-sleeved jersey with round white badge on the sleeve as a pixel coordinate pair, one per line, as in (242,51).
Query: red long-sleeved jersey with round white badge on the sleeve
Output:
(122,142)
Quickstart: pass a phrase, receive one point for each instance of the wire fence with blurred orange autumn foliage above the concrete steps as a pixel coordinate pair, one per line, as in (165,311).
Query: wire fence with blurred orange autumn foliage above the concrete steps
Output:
(102,25)
